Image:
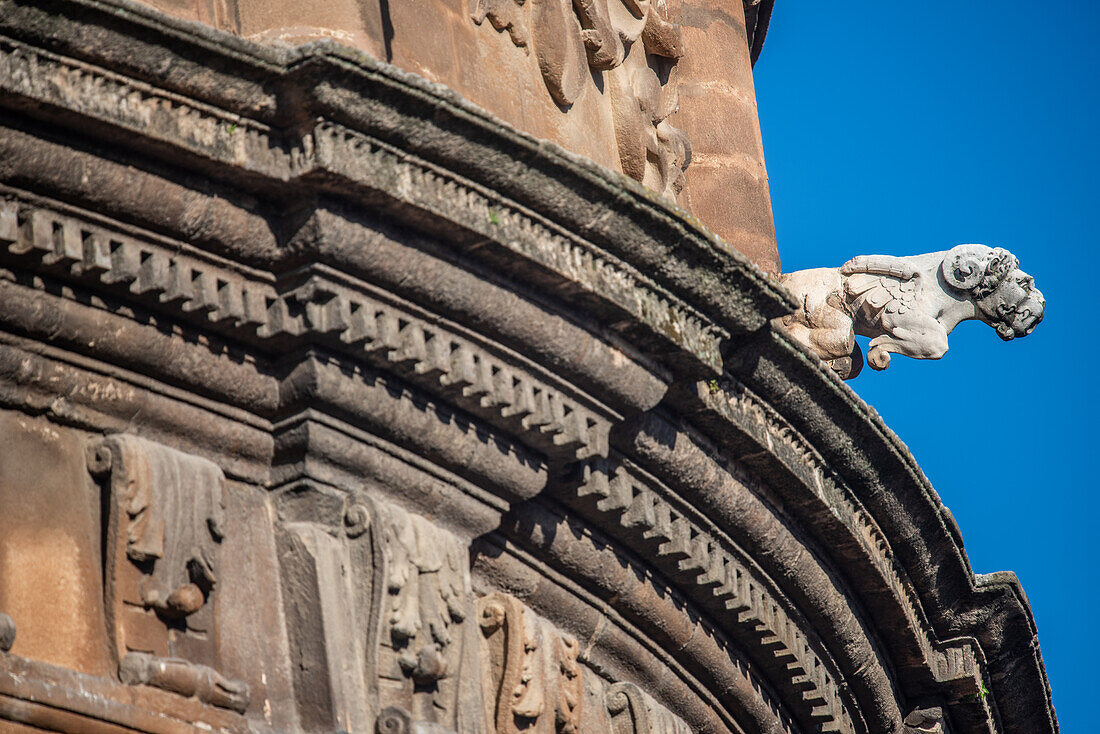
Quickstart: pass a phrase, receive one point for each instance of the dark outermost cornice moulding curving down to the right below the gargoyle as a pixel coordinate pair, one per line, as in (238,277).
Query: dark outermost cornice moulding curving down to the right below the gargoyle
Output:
(875,464)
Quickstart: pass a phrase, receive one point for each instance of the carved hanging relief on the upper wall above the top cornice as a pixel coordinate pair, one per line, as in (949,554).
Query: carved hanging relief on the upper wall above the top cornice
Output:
(637,45)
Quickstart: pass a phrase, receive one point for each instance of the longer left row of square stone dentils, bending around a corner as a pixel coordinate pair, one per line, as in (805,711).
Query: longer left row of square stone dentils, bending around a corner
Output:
(313,310)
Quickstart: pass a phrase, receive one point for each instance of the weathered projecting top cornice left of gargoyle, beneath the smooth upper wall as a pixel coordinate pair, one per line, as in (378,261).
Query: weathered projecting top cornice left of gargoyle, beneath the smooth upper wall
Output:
(515,193)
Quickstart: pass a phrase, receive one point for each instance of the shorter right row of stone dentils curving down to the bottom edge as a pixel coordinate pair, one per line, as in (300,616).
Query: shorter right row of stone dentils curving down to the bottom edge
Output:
(702,565)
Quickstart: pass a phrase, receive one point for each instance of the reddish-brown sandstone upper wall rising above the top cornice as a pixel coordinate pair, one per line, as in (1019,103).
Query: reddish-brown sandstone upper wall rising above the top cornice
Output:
(527,64)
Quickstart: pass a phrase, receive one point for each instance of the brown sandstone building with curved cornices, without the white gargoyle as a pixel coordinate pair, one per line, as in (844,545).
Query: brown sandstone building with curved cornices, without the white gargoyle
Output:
(412,367)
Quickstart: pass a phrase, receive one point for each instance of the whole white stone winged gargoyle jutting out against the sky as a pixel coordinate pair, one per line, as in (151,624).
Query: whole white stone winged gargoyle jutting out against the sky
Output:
(909,305)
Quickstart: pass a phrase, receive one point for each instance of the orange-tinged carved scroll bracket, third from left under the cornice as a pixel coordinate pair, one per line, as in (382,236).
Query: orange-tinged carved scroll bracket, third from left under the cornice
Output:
(533,681)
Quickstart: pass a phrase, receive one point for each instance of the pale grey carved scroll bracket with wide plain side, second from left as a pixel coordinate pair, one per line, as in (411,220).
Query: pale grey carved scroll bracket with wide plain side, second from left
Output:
(387,596)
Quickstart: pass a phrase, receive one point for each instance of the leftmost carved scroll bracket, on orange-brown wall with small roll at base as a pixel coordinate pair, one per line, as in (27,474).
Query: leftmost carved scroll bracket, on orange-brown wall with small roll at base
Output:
(162,558)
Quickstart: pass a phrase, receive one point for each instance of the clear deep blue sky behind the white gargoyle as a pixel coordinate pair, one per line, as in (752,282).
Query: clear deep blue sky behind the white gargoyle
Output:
(903,128)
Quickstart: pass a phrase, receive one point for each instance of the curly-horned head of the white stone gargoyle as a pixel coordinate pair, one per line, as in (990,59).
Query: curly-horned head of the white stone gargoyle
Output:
(1006,297)
